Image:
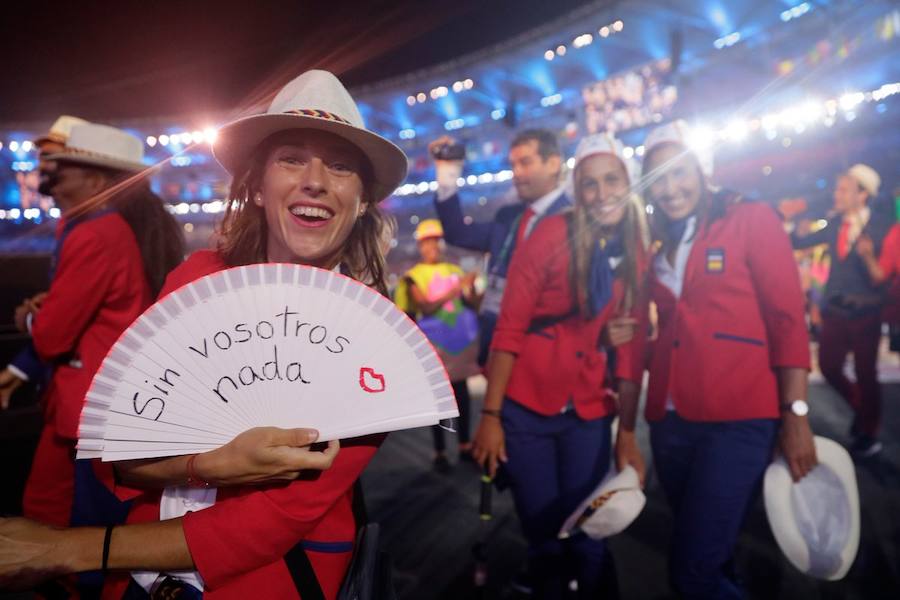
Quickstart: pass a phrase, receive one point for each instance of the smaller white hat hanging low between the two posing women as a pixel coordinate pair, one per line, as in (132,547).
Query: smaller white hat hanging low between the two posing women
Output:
(610,508)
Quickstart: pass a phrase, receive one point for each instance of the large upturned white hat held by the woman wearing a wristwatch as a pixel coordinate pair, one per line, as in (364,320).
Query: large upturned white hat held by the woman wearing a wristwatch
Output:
(816,520)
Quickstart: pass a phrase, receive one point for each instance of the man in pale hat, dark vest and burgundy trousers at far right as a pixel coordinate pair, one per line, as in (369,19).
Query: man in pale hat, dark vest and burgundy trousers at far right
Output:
(852,304)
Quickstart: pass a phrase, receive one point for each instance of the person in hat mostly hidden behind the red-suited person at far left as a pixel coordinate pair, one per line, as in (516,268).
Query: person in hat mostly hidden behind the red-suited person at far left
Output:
(27,366)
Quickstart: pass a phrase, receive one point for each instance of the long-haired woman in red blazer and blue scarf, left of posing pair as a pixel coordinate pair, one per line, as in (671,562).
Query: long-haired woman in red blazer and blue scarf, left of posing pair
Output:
(547,412)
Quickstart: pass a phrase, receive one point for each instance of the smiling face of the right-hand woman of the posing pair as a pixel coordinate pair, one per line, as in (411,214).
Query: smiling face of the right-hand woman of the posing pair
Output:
(678,185)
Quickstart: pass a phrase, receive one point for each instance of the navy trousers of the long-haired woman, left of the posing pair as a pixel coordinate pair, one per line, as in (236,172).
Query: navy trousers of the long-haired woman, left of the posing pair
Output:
(554,463)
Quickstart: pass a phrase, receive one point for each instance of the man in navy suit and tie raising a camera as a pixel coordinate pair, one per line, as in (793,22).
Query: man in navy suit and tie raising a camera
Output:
(536,163)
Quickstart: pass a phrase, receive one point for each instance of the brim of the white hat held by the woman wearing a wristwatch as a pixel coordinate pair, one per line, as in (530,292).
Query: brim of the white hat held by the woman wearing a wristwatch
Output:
(777,498)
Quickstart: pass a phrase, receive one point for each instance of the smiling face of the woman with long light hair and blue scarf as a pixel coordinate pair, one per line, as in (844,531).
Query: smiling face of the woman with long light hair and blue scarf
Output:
(601,182)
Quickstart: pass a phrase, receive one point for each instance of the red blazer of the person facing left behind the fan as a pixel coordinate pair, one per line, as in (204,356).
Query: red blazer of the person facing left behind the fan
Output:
(98,289)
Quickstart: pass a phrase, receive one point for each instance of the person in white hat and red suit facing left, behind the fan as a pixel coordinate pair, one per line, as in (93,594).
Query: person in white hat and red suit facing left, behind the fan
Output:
(98,288)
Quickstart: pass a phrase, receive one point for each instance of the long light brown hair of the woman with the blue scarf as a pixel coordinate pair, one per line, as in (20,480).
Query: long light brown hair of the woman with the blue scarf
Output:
(584,232)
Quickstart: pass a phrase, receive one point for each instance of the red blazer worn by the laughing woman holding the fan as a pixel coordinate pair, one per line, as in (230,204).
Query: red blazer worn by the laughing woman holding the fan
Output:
(239,543)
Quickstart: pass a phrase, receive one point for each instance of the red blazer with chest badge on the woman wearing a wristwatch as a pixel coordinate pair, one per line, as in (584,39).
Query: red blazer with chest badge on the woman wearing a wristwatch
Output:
(740,315)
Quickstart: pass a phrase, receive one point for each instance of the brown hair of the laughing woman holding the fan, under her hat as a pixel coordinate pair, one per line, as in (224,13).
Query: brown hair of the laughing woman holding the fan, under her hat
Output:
(243,231)
